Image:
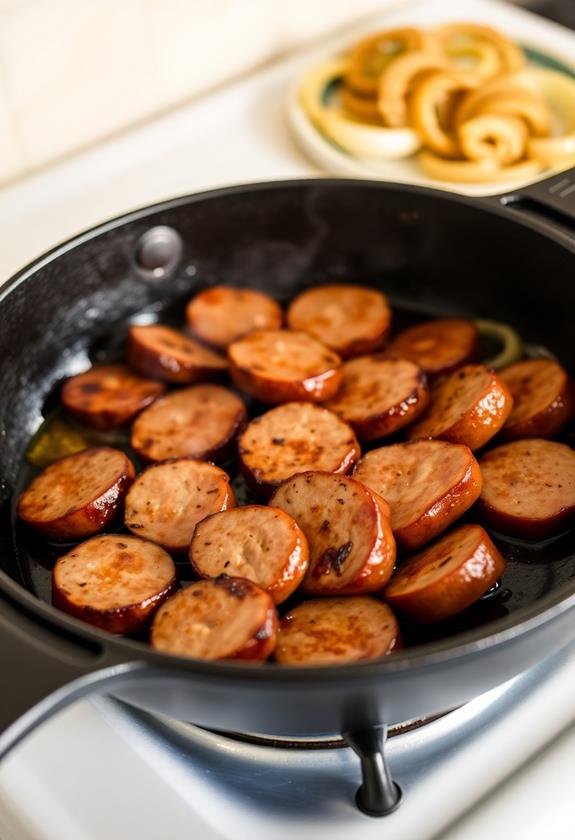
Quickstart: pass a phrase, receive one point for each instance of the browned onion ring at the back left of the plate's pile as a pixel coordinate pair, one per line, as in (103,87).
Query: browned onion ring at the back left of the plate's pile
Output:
(370,57)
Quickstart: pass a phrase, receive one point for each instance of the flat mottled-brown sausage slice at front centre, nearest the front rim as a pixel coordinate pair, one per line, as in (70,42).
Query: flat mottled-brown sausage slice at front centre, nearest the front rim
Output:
(333,631)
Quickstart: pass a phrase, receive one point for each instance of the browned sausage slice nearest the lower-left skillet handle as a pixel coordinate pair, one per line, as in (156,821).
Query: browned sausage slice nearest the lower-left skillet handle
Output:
(114,581)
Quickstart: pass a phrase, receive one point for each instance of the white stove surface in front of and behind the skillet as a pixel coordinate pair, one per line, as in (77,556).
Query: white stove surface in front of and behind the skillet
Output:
(502,763)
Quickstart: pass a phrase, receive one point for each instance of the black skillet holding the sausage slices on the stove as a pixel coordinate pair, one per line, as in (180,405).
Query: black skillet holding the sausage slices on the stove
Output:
(511,258)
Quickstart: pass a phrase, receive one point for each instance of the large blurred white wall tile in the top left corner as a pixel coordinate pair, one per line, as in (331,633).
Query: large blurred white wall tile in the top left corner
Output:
(76,72)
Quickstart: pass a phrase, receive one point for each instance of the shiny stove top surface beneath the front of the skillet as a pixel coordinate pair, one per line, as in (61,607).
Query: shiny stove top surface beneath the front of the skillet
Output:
(143,769)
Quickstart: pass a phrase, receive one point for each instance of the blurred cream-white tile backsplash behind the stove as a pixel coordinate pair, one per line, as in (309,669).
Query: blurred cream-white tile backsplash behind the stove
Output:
(73,72)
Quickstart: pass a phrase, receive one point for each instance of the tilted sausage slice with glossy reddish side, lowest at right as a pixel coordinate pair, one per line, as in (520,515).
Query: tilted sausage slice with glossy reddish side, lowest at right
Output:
(447,577)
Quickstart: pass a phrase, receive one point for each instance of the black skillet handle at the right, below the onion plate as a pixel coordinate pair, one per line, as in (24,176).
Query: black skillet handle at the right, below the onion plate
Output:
(551,201)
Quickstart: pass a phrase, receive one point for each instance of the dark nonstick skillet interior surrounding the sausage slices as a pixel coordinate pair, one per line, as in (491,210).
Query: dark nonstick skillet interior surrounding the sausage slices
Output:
(433,255)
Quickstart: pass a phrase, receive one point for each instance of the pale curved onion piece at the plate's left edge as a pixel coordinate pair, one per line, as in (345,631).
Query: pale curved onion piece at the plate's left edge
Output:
(359,139)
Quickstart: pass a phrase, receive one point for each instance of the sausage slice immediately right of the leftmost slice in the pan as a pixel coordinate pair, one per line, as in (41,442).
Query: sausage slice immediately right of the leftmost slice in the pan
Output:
(166,501)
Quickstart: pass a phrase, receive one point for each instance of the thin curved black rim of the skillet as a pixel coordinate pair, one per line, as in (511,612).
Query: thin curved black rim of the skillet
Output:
(507,629)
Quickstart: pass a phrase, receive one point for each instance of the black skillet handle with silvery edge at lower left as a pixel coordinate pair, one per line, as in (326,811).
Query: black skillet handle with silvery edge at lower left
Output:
(37,663)
